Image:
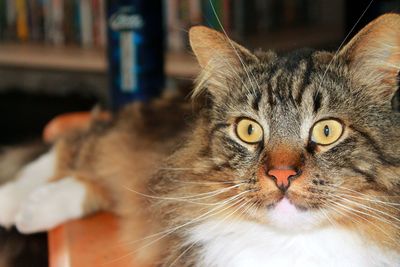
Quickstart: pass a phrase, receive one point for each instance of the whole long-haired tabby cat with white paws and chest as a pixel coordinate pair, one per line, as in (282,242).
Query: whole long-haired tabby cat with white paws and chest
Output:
(293,161)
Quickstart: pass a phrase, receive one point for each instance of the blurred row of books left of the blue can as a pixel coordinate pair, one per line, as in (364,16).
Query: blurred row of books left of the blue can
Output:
(56,22)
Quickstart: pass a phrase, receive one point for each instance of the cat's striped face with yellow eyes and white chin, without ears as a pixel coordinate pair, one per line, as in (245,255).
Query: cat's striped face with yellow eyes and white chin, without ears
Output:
(318,137)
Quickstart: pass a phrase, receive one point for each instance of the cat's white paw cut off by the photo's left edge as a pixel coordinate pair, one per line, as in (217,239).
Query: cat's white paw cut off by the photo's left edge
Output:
(10,200)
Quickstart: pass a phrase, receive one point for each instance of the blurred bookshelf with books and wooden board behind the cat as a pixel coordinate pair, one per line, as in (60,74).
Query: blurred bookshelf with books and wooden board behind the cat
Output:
(56,43)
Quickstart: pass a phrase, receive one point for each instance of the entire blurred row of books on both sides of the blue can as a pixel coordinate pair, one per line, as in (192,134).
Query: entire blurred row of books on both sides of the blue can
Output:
(83,22)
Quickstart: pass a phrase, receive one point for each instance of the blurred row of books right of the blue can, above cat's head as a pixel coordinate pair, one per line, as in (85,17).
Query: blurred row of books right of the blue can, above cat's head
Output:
(241,19)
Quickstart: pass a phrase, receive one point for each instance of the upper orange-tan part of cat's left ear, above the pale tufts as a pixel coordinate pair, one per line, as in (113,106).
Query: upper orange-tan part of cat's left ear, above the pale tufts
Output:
(212,47)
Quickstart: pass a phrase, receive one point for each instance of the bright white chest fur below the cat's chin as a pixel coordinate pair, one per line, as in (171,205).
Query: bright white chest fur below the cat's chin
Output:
(244,244)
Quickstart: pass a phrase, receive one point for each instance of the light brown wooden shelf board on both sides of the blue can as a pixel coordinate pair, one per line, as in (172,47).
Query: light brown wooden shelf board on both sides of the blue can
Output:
(80,59)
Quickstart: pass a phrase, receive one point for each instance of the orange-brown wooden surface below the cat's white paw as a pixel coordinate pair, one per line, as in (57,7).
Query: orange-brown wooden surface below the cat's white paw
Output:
(89,242)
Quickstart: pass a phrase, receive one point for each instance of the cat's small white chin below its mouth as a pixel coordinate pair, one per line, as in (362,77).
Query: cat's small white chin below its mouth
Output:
(288,216)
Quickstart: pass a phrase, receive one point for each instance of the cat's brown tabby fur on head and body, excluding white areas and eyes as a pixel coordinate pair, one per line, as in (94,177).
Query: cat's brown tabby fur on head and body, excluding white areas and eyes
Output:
(356,180)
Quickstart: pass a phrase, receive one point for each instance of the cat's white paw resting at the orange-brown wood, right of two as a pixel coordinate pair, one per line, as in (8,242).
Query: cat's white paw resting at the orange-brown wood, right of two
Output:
(51,205)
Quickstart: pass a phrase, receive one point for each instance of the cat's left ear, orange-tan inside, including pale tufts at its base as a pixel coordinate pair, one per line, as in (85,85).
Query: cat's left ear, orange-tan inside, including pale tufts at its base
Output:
(219,57)
